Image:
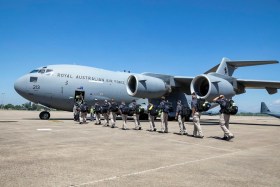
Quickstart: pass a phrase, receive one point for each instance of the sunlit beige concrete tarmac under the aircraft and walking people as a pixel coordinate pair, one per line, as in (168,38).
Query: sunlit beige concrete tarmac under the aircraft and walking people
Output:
(60,152)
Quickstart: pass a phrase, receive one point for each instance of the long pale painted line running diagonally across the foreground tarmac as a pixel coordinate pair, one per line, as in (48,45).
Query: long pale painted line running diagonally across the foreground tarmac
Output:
(168,166)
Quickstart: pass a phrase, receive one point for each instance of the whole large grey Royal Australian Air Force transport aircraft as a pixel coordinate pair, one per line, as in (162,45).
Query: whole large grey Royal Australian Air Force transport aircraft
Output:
(56,86)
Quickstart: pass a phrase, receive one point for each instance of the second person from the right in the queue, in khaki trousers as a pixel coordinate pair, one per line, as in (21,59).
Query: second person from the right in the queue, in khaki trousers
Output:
(197,131)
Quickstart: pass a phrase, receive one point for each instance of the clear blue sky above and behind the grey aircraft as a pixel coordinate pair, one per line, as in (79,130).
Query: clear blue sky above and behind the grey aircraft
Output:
(178,37)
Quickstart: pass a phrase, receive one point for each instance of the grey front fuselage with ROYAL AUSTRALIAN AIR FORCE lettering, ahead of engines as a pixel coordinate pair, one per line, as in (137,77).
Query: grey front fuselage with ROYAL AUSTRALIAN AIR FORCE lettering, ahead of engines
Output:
(54,86)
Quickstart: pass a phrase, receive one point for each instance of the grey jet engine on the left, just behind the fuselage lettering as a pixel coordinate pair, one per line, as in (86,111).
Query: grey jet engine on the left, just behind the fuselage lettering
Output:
(143,86)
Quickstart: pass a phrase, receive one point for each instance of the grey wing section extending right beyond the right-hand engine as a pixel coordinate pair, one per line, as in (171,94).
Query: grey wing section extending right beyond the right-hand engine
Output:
(270,86)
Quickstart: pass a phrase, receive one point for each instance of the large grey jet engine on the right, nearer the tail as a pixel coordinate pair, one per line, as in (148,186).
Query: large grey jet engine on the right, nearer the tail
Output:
(209,86)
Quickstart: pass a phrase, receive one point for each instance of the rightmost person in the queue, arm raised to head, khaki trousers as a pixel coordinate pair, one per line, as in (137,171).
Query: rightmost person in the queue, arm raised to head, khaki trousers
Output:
(224,116)
